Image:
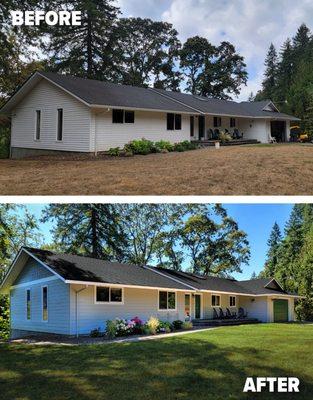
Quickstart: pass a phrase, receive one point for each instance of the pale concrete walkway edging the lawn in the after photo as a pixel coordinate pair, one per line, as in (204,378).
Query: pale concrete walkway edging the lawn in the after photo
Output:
(60,341)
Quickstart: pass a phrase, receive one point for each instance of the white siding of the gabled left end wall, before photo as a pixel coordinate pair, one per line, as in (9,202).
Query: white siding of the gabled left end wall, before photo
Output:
(48,98)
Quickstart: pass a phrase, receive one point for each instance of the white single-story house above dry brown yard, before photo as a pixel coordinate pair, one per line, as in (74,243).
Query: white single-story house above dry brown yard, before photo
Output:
(53,113)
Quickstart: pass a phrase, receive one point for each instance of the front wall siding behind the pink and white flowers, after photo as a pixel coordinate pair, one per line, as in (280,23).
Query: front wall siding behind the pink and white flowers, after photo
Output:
(137,302)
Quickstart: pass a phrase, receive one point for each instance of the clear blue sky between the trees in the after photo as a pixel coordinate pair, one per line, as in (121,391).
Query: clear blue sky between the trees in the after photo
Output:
(255,219)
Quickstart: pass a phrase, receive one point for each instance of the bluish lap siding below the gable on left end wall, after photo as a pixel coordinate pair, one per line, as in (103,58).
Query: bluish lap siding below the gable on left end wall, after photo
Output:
(58,308)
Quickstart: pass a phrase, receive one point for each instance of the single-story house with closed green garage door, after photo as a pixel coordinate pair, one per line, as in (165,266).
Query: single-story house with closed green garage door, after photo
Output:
(71,295)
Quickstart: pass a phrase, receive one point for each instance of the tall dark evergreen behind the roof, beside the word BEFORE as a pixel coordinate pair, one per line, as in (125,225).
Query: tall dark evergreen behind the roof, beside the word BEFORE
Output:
(84,50)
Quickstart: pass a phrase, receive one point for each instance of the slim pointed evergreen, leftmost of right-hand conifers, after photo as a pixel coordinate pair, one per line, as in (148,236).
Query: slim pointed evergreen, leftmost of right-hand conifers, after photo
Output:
(274,243)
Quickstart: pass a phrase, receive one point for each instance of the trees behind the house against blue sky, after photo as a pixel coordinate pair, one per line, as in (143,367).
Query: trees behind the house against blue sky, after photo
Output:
(202,239)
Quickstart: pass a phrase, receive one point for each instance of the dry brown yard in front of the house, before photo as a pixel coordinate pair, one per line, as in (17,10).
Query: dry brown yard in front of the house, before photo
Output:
(239,170)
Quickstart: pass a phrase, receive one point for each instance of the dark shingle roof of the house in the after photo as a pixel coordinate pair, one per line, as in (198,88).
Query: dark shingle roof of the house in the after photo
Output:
(87,269)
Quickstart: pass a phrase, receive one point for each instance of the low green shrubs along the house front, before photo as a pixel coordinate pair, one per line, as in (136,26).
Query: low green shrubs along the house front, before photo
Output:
(144,147)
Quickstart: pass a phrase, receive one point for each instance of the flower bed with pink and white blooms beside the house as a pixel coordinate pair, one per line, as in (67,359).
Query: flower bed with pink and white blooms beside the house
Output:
(135,326)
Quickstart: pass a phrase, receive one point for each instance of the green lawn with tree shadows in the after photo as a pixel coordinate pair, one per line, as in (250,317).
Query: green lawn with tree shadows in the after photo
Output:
(205,365)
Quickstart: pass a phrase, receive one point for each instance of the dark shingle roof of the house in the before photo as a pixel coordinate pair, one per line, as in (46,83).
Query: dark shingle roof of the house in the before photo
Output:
(109,94)
